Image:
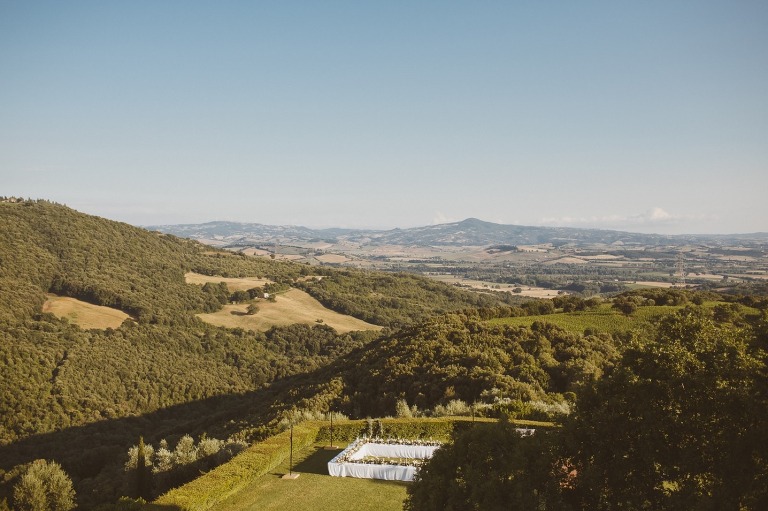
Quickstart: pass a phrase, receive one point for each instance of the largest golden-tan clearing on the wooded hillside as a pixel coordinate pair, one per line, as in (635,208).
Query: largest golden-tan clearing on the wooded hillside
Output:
(293,306)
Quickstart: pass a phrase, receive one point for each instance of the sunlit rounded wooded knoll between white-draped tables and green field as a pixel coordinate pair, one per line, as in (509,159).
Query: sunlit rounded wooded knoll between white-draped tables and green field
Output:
(459,357)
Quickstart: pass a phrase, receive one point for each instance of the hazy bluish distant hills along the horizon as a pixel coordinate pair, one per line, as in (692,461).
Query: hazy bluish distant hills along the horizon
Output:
(469,232)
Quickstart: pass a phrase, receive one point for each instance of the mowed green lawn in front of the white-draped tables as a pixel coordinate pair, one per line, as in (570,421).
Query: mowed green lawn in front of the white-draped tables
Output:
(315,490)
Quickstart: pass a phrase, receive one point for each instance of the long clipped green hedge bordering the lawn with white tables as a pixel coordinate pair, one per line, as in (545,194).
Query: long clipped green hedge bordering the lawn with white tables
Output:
(225,480)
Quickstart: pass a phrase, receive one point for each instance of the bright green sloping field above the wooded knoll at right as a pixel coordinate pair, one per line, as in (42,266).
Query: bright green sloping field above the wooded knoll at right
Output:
(603,319)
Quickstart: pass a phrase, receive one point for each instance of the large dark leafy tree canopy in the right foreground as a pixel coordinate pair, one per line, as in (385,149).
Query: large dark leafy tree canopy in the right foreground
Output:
(678,423)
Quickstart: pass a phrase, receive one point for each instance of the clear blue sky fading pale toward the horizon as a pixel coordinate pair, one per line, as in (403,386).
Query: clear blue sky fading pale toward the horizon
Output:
(648,116)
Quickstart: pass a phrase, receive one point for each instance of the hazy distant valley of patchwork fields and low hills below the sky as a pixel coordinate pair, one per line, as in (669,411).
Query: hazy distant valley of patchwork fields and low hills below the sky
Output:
(477,254)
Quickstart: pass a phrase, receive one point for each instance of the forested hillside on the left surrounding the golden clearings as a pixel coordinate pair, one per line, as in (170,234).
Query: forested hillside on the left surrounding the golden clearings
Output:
(73,394)
